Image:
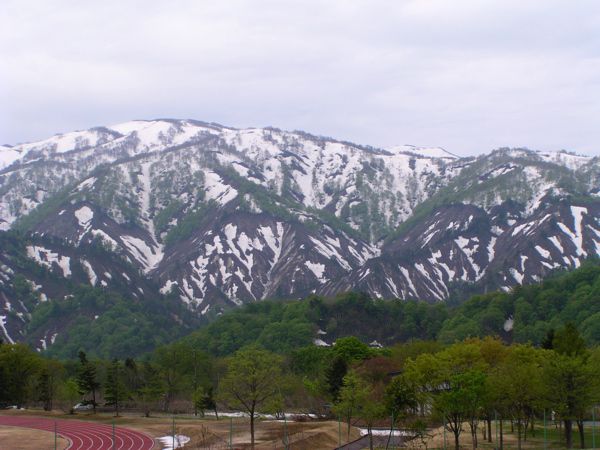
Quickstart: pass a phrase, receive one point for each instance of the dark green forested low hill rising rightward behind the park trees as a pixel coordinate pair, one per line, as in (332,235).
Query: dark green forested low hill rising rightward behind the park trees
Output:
(525,315)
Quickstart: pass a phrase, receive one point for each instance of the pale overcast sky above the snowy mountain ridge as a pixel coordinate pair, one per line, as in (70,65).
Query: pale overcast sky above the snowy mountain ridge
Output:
(468,76)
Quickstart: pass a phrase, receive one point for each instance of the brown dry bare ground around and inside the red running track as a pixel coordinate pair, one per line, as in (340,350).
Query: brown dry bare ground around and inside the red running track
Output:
(205,433)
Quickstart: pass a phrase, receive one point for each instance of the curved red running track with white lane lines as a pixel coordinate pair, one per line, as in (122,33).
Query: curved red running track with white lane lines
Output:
(84,435)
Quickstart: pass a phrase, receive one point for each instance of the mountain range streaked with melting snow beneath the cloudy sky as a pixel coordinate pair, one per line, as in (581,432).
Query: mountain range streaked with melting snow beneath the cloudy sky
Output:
(212,216)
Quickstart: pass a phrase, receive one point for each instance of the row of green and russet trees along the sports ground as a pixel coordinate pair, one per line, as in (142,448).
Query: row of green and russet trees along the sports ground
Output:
(415,386)
